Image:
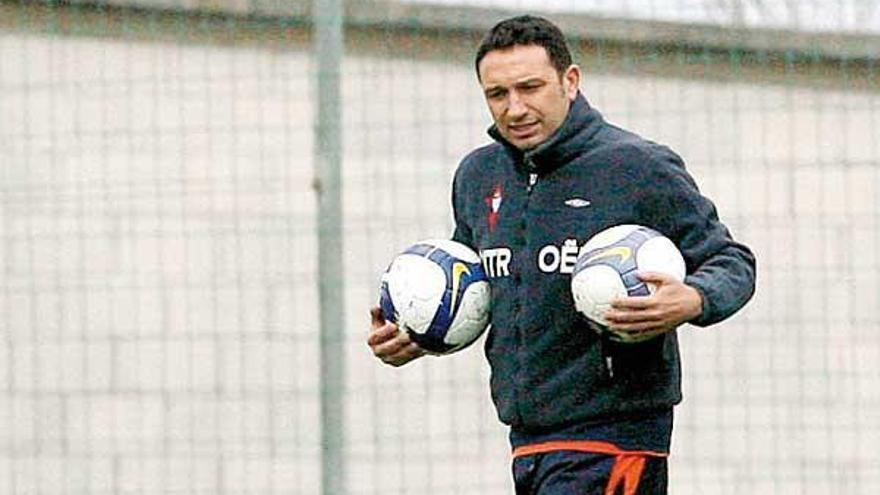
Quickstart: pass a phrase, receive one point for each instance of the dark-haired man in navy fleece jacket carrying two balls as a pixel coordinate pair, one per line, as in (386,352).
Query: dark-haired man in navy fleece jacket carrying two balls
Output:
(587,415)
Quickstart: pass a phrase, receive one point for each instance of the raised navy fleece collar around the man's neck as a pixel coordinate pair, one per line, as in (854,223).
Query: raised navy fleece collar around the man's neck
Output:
(576,130)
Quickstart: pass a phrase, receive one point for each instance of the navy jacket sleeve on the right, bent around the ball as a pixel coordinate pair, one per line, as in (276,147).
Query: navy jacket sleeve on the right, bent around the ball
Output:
(720,268)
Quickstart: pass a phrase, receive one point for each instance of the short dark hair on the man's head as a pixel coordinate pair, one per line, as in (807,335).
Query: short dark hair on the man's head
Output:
(527,30)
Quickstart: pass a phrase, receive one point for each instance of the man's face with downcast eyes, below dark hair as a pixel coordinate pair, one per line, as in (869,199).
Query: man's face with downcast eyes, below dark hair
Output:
(527,97)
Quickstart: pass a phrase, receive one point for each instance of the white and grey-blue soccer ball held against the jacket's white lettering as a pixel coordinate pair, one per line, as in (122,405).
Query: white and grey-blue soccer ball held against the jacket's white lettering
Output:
(607,266)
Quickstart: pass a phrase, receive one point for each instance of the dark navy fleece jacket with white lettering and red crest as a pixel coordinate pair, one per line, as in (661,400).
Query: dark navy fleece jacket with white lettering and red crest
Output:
(527,214)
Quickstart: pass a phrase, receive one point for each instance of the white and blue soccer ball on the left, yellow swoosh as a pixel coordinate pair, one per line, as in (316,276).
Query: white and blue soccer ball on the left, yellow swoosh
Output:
(438,292)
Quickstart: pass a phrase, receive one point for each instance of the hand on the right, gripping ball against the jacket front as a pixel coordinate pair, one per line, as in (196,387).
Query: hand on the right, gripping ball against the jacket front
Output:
(672,303)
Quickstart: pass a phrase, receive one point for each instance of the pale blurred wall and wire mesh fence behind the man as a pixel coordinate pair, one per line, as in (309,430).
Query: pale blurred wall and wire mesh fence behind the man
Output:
(197,198)
